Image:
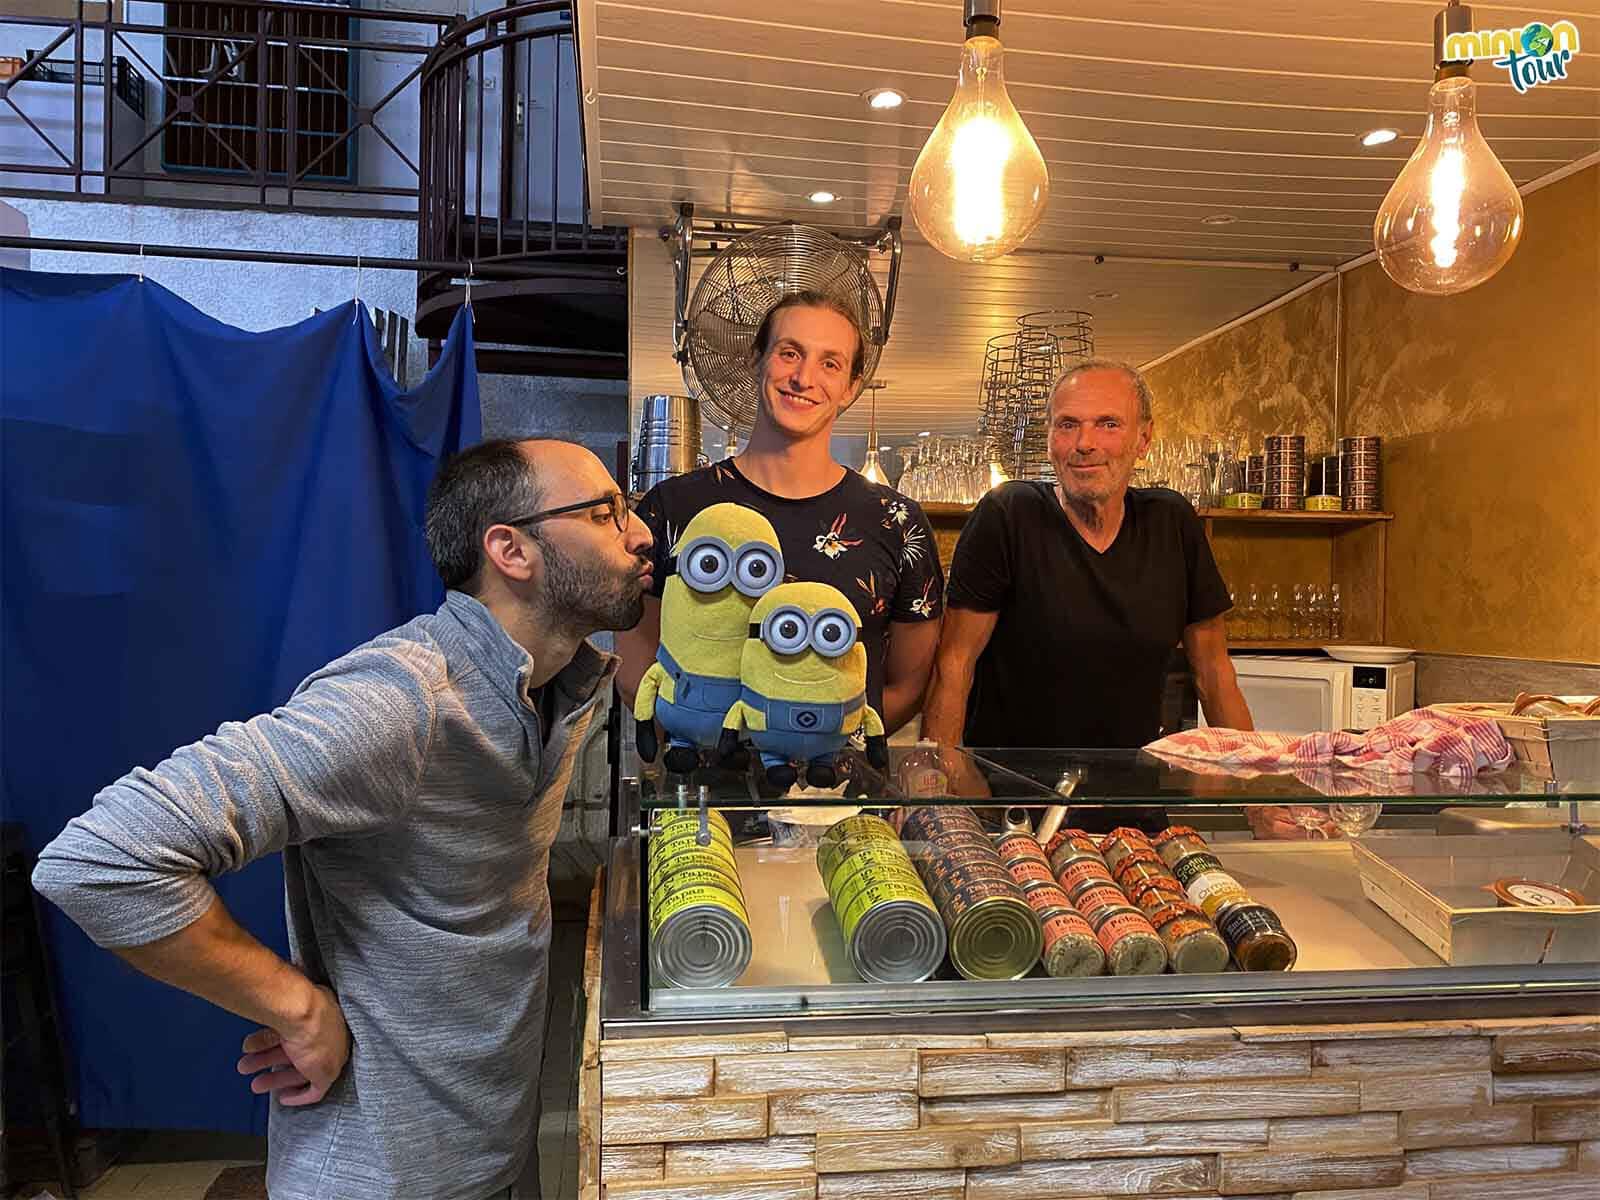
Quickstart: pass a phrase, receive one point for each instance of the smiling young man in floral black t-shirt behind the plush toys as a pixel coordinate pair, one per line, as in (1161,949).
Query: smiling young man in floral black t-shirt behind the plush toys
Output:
(834,527)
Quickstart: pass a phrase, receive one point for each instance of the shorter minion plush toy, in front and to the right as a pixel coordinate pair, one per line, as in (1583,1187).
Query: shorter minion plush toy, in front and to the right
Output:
(806,682)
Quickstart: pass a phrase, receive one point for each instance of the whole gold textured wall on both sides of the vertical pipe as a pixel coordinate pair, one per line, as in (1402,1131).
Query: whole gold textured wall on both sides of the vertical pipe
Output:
(1489,406)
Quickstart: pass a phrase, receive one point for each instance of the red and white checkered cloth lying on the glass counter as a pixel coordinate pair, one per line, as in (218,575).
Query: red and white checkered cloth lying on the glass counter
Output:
(1418,742)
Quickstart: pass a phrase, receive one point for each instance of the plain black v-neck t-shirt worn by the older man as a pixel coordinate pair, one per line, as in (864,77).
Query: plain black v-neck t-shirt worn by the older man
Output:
(1081,649)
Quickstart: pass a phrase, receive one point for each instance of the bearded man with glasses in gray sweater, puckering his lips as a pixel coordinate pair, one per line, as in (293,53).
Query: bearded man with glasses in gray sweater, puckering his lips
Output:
(415,788)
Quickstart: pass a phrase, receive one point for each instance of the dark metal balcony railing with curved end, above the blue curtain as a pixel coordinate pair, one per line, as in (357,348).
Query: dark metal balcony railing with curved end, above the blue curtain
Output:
(238,79)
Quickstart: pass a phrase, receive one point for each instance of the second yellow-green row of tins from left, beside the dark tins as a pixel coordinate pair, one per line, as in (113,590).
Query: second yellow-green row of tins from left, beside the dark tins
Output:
(894,934)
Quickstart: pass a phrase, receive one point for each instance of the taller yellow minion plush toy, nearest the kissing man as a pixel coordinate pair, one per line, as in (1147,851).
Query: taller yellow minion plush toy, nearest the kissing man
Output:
(722,564)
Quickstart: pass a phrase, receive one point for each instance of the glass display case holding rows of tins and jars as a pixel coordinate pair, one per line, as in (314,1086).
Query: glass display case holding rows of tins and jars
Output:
(1348,892)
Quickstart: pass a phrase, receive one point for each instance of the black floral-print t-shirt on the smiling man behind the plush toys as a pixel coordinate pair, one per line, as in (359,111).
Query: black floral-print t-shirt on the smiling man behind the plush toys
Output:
(863,538)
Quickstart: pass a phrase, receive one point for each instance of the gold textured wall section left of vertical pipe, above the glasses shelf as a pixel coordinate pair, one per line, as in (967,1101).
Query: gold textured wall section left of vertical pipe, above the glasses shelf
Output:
(1273,375)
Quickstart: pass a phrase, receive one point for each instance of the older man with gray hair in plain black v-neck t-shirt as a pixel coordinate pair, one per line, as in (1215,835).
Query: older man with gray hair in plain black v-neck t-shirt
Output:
(1066,601)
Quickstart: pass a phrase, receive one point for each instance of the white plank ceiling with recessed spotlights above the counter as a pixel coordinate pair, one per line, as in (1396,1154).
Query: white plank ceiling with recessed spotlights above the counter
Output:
(1151,114)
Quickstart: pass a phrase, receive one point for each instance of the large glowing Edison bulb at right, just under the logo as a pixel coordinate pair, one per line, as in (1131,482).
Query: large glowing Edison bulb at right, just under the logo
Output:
(1454,217)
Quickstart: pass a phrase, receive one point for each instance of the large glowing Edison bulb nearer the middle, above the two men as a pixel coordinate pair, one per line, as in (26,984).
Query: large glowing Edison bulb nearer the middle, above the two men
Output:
(980,185)
